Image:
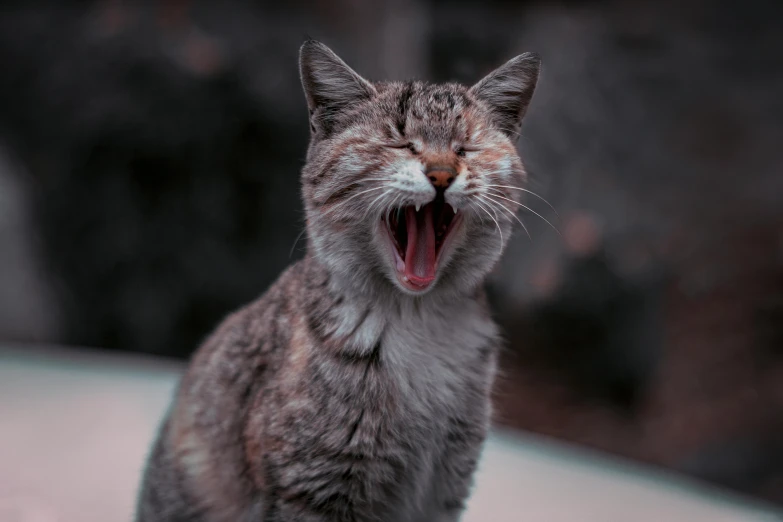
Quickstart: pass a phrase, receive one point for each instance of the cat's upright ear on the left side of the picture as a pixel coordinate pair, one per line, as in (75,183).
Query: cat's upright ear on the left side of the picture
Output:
(329,85)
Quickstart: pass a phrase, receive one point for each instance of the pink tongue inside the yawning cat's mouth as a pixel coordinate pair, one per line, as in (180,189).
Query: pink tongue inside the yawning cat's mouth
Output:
(420,255)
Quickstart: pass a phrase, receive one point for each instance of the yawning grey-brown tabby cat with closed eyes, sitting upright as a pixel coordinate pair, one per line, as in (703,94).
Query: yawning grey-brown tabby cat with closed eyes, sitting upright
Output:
(357,388)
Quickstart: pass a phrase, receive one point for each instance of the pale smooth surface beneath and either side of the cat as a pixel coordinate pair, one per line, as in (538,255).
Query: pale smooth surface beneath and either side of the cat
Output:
(75,428)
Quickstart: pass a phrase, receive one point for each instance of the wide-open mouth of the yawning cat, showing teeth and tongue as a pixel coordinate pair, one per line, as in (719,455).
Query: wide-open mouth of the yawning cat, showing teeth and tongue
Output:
(419,237)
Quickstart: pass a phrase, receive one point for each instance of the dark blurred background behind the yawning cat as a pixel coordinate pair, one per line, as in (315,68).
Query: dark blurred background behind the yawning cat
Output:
(149,163)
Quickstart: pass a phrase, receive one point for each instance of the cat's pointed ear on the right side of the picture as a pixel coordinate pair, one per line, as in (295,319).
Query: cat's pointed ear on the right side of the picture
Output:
(508,89)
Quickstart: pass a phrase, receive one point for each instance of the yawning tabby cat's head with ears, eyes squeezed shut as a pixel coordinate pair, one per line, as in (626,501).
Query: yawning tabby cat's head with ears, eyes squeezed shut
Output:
(409,185)
